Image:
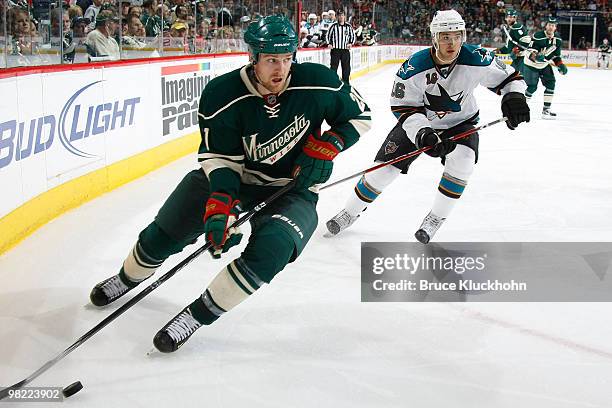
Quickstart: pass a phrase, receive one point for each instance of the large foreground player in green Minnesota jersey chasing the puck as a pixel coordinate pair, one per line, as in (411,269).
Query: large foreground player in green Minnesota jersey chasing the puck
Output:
(260,128)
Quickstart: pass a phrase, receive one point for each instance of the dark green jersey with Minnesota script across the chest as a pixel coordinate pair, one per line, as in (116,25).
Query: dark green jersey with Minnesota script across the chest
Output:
(254,139)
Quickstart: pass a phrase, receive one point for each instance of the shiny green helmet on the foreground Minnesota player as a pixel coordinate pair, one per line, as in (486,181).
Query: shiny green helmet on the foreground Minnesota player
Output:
(271,35)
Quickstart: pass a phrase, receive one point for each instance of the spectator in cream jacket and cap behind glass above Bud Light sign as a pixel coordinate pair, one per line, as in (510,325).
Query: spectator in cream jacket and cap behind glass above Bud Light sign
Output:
(100,42)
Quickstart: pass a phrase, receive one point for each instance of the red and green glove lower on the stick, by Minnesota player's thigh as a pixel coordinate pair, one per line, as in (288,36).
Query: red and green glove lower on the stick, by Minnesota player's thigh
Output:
(221,212)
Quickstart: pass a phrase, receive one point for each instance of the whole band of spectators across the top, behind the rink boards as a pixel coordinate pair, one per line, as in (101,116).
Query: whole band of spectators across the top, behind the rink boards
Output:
(112,29)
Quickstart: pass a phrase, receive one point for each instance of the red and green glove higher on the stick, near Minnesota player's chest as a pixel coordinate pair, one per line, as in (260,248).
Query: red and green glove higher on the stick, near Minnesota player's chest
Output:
(314,165)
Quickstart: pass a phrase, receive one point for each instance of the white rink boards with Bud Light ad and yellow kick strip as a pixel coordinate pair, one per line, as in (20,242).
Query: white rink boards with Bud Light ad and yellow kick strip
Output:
(69,134)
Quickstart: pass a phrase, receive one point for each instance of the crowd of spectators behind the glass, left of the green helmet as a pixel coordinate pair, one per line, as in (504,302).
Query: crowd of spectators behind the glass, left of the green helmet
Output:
(113,29)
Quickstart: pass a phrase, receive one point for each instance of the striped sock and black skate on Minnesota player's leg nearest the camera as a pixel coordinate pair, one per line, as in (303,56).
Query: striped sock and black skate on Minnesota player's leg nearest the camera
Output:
(230,287)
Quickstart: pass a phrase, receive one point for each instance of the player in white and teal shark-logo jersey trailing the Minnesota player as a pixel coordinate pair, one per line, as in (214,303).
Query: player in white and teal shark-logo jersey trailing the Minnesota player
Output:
(433,100)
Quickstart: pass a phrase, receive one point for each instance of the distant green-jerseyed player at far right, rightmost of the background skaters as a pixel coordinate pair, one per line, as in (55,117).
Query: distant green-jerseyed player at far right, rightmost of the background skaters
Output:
(544,51)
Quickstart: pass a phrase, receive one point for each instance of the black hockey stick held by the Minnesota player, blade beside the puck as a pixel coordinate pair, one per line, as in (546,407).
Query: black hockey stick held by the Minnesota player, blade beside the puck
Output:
(5,392)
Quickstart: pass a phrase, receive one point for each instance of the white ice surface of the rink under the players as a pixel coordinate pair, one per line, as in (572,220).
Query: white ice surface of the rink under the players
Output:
(306,340)
